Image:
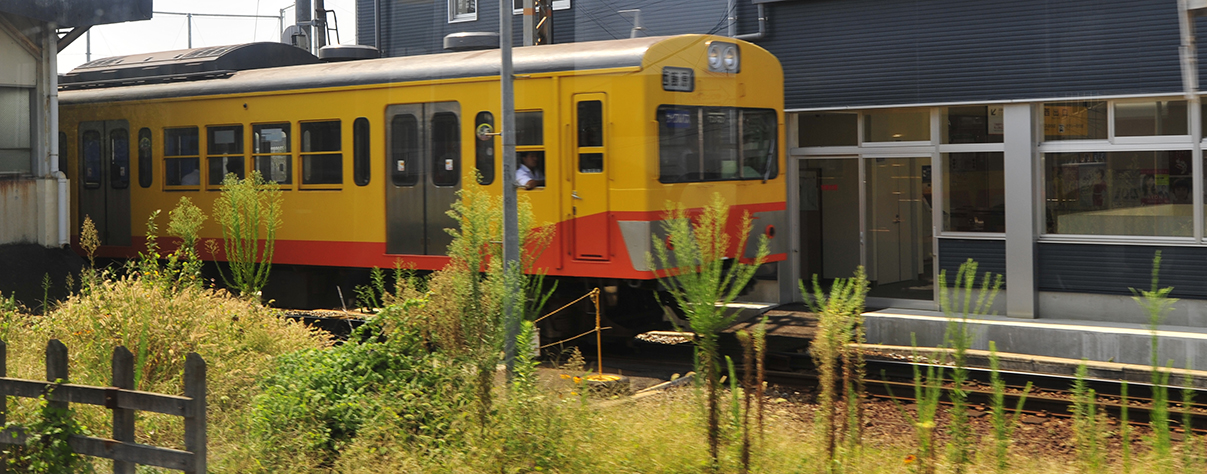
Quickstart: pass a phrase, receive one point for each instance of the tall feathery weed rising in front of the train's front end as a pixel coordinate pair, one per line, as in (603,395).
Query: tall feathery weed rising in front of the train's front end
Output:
(703,282)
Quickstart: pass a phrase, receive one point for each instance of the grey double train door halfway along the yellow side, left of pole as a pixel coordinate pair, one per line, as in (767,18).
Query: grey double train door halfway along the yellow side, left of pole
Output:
(424,165)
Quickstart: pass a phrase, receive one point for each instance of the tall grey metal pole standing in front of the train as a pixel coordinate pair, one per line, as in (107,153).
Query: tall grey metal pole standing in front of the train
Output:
(511,221)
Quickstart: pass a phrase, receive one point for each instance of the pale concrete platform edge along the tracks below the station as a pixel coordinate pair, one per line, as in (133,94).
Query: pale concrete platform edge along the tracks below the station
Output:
(1069,340)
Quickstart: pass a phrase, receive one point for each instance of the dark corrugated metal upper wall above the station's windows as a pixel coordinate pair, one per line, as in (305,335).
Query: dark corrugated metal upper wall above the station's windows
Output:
(885,52)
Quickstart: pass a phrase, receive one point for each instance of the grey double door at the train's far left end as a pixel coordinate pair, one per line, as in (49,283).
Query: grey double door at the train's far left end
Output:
(106,179)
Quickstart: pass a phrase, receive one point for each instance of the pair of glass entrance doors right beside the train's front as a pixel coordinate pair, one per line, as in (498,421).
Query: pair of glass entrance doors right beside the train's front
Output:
(883,225)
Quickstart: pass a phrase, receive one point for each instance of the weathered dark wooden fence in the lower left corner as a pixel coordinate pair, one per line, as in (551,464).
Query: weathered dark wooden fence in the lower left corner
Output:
(124,401)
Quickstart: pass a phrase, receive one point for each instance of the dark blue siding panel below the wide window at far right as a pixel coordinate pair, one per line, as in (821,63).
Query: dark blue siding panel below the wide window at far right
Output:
(1113,270)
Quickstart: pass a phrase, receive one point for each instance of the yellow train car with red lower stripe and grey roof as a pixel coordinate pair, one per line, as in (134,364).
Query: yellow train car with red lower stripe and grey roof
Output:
(371,154)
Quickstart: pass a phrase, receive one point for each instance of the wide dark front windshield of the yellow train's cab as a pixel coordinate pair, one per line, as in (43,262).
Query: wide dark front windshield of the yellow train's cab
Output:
(713,144)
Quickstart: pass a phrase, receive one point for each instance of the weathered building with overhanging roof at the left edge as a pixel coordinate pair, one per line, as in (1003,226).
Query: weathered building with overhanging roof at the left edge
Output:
(33,190)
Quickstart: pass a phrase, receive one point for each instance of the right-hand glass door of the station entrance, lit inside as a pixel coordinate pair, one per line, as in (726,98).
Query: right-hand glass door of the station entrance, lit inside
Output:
(900,244)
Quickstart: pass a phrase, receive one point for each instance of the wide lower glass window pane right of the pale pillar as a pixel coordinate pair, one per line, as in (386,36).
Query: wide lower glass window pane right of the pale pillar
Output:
(1119,194)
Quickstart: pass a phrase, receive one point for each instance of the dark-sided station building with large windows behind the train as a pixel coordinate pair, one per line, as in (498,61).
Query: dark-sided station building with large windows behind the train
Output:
(1049,141)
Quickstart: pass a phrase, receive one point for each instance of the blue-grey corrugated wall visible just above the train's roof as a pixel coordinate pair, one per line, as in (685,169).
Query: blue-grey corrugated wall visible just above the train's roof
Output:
(419,27)
